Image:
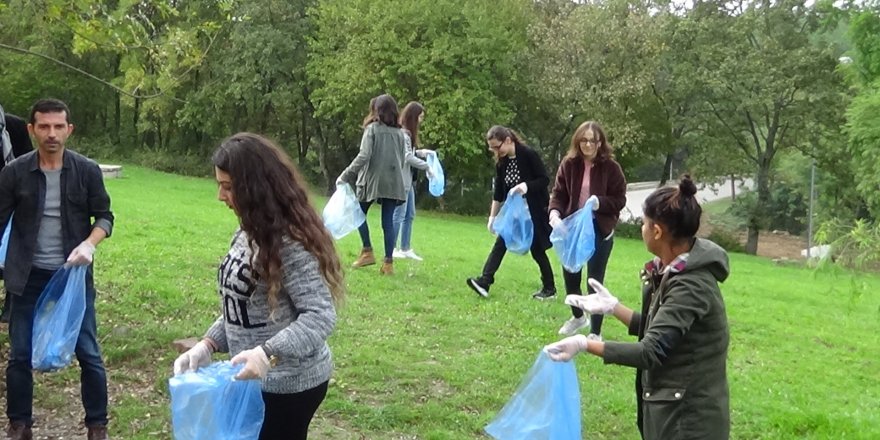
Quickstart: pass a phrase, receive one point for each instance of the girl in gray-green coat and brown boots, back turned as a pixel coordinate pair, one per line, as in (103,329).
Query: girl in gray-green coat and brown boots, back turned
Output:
(377,176)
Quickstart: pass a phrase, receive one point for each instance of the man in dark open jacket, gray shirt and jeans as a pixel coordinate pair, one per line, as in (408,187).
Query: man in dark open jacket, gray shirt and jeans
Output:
(55,193)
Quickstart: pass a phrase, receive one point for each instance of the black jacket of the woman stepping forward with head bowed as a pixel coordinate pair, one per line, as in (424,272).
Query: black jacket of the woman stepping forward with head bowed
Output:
(533,173)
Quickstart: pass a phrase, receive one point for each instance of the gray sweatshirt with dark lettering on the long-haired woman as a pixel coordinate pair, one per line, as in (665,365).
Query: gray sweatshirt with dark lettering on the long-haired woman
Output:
(297,332)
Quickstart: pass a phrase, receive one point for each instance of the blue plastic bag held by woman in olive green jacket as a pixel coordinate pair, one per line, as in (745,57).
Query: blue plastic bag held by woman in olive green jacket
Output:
(546,406)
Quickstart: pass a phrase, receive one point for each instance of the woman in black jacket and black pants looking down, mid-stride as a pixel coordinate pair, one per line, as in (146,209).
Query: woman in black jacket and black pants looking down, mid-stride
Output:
(520,169)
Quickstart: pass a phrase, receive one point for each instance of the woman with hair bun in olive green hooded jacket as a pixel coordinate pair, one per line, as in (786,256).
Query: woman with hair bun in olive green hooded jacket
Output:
(681,355)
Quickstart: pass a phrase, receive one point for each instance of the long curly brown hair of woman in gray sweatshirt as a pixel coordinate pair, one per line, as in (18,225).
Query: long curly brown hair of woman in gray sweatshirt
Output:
(271,202)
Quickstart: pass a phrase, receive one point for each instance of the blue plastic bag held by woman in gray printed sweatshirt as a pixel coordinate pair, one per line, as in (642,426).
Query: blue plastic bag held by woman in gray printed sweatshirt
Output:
(208,404)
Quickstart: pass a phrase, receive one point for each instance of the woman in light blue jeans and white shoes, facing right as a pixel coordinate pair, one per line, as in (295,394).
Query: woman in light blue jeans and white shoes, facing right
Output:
(410,119)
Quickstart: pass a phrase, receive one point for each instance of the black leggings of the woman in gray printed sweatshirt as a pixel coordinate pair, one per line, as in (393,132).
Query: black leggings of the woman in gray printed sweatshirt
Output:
(288,415)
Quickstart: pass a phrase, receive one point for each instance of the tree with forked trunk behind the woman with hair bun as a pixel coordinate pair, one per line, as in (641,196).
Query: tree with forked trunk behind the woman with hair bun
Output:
(770,88)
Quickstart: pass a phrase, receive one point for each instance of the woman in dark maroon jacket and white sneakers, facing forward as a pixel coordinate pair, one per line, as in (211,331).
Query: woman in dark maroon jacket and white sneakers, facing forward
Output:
(589,170)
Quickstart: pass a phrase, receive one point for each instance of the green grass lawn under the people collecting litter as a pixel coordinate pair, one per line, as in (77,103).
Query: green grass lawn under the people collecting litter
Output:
(419,356)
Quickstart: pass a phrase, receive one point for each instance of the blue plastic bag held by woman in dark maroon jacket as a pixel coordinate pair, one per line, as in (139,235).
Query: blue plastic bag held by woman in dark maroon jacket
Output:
(575,239)
